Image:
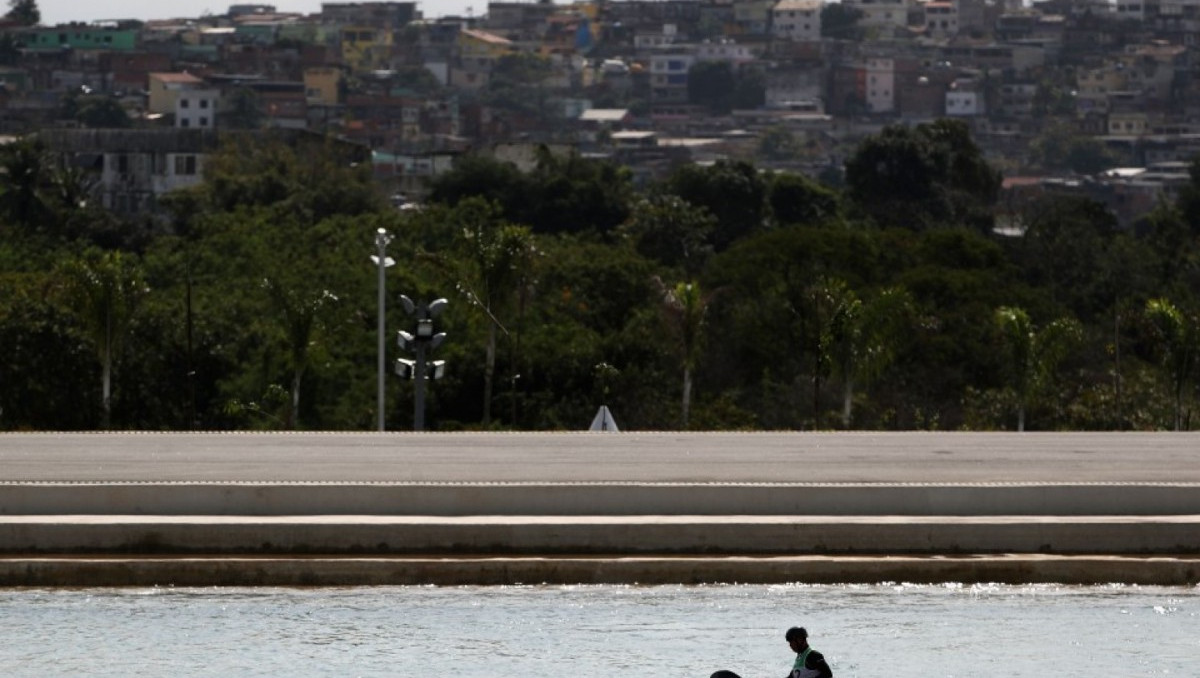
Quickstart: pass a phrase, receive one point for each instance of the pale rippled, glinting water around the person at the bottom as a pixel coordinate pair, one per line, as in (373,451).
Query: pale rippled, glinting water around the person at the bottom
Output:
(895,632)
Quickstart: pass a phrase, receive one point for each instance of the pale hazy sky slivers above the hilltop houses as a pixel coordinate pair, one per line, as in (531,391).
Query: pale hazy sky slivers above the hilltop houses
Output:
(65,11)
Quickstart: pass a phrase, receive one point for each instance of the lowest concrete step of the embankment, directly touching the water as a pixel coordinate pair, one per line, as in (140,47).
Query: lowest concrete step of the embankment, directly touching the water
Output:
(147,572)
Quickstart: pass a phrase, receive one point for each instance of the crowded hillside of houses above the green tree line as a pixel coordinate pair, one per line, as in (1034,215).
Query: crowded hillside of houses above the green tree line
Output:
(1082,95)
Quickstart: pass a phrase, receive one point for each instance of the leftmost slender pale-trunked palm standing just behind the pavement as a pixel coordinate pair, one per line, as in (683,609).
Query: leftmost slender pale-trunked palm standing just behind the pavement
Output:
(104,290)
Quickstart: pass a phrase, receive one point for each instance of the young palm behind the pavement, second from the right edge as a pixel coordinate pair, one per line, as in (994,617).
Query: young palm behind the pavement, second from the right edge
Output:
(1034,356)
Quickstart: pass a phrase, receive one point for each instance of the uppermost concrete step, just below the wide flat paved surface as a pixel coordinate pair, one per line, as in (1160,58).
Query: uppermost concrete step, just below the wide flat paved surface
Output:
(615,500)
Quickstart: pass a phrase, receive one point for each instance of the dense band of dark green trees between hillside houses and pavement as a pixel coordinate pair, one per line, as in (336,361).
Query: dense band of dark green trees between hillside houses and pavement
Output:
(722,297)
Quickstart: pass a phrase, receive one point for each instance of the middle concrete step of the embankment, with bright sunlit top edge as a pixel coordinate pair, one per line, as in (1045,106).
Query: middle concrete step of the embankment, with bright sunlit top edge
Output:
(602,535)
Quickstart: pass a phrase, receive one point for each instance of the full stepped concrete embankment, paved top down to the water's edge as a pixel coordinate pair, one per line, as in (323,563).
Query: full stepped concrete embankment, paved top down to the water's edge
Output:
(370,509)
